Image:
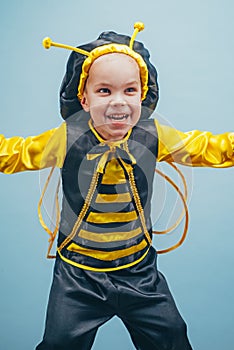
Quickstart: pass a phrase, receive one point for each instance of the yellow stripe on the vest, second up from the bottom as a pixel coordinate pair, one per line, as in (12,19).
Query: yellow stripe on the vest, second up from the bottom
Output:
(109,237)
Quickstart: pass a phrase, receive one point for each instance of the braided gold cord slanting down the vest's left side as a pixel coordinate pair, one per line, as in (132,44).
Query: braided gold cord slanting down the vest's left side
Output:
(83,211)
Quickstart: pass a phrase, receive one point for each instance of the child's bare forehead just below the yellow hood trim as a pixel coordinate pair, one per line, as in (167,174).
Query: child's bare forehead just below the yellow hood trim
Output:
(114,62)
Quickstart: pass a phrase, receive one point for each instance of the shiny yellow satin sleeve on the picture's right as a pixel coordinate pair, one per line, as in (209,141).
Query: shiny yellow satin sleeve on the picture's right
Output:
(195,148)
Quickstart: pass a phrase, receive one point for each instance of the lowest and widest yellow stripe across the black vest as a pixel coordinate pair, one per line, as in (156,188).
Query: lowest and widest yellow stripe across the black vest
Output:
(107,256)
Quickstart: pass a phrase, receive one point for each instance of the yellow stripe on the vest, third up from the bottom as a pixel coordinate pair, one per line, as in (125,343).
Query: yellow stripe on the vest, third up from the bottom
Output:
(103,218)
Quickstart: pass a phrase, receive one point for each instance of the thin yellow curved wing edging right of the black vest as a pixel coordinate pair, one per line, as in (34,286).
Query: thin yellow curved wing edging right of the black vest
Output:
(184,214)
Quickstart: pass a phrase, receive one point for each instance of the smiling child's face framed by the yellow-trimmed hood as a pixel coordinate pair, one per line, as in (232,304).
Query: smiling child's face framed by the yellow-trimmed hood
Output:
(113,95)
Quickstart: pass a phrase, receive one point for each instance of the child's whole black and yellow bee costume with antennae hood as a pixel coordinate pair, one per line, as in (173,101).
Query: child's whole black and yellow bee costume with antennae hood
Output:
(105,262)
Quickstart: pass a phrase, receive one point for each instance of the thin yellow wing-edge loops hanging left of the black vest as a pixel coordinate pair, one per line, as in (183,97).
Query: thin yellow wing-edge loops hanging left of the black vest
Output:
(53,233)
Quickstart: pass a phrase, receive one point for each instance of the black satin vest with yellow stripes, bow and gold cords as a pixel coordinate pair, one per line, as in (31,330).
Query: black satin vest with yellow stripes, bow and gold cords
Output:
(107,187)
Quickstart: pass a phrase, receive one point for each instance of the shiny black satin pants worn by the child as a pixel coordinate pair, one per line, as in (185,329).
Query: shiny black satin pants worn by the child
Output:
(81,301)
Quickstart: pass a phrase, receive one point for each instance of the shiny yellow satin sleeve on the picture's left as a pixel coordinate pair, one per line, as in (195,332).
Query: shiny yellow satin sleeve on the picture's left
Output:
(34,152)
